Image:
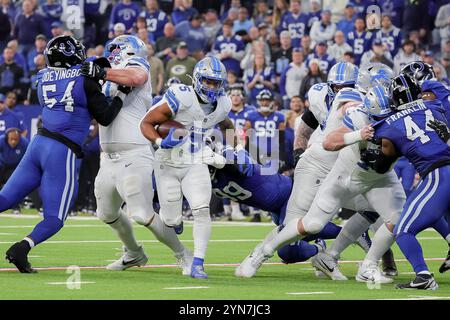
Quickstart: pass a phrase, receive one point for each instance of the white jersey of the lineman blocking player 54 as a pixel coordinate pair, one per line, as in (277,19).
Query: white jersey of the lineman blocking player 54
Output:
(124,133)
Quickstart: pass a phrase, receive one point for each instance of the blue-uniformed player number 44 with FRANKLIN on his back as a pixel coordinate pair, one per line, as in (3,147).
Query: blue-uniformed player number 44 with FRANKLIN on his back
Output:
(406,132)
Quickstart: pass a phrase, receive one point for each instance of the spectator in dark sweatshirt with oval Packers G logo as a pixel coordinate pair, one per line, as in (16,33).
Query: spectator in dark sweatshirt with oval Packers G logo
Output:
(181,65)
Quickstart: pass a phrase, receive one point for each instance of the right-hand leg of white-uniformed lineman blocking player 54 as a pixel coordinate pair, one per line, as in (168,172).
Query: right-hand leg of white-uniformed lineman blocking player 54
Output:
(136,188)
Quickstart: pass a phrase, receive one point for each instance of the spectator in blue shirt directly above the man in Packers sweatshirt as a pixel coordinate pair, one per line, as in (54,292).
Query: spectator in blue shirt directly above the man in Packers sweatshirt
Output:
(193,34)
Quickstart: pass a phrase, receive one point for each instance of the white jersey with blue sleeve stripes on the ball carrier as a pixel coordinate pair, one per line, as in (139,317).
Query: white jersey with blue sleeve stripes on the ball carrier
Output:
(195,116)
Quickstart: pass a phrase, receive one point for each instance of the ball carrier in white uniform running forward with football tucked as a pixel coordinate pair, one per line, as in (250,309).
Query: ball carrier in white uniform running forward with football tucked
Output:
(198,107)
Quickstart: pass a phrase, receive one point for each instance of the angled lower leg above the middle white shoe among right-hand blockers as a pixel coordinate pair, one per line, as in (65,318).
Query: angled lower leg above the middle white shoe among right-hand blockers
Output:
(351,231)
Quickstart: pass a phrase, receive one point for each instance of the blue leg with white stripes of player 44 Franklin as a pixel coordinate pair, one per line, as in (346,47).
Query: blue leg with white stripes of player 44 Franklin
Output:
(425,206)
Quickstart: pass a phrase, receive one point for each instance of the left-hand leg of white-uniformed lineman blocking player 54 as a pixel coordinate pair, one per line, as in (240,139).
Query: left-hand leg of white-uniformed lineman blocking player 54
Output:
(108,210)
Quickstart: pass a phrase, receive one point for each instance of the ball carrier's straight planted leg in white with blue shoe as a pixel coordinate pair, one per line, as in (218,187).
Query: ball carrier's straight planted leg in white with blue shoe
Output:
(196,186)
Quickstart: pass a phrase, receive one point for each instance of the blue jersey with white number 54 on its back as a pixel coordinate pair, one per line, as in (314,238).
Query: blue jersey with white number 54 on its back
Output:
(62,96)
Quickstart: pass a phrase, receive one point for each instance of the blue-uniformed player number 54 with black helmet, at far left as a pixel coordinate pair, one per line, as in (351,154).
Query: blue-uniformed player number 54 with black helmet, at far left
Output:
(69,102)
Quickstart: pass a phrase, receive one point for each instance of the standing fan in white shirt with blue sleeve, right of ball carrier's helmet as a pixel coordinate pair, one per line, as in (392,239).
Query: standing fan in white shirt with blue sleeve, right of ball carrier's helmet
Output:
(292,77)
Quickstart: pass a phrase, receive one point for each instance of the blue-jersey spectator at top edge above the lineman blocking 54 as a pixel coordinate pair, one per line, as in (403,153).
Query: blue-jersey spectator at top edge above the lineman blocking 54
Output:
(125,12)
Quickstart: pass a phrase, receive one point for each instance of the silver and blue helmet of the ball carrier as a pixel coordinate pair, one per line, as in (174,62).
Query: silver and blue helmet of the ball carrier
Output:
(209,79)
